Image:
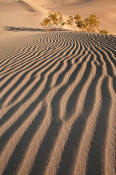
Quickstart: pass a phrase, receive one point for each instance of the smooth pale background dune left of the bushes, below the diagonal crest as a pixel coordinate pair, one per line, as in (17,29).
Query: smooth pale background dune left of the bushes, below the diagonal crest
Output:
(20,14)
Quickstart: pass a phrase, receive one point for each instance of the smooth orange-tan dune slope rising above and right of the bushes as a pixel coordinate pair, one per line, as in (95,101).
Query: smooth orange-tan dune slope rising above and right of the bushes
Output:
(105,9)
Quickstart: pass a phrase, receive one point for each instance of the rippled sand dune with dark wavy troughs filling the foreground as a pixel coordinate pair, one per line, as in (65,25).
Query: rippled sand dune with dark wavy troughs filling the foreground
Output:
(57,104)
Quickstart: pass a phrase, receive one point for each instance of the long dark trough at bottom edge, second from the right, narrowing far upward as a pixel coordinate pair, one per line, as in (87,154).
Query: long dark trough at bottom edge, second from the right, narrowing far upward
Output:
(71,147)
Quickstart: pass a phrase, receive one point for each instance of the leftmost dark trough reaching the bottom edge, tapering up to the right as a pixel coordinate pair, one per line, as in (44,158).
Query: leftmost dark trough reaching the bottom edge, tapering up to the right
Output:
(24,142)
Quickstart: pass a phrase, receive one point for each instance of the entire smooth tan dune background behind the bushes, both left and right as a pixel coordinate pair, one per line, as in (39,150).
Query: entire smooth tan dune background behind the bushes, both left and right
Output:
(29,13)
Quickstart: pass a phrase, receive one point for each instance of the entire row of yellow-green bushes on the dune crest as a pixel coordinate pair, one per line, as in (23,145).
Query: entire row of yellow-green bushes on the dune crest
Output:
(89,24)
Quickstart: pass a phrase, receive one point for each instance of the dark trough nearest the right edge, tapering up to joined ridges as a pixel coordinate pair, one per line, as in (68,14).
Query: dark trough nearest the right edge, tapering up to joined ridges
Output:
(96,152)
